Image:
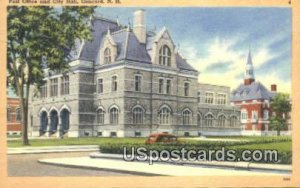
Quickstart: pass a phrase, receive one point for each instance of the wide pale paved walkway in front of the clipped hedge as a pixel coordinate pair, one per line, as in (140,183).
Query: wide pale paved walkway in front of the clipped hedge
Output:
(145,168)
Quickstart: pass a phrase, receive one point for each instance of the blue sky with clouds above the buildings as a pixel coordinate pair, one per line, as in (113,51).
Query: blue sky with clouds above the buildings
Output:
(216,40)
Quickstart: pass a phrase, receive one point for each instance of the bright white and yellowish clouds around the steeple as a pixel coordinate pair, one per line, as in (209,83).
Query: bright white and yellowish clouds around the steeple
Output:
(220,51)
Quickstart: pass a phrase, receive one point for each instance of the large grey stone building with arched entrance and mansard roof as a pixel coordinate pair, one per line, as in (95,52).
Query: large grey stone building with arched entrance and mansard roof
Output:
(126,82)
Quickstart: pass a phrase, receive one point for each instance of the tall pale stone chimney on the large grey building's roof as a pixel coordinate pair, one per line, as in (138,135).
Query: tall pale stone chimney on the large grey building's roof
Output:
(139,26)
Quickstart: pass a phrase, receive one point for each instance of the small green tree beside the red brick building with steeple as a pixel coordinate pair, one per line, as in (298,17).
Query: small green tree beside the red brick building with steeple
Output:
(281,107)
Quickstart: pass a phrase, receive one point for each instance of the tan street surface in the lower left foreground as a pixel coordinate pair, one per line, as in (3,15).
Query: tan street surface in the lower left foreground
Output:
(27,165)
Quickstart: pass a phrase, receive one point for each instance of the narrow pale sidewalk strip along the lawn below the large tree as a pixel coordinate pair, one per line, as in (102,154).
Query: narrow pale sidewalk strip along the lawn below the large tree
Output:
(52,149)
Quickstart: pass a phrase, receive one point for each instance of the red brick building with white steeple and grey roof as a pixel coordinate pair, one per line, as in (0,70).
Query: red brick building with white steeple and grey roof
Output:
(254,100)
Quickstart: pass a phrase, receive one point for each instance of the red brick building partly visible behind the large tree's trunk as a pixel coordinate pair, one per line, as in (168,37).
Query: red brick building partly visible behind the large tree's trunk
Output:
(14,115)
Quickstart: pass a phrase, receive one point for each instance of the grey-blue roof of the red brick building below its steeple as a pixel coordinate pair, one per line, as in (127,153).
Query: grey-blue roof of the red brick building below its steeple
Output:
(254,91)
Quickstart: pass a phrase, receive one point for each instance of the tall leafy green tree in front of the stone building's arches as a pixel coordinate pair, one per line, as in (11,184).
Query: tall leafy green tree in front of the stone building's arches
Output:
(40,37)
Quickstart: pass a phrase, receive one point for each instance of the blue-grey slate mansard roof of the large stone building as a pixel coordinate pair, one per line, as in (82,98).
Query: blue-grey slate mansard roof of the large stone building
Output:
(128,46)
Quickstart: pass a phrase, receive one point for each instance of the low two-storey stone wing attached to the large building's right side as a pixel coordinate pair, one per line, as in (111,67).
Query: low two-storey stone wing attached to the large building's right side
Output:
(215,114)
